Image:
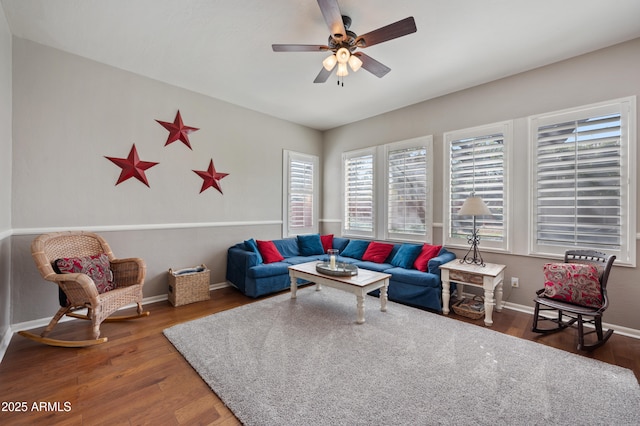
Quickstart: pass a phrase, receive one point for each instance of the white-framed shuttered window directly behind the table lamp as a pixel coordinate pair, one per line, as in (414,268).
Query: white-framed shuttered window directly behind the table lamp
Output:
(477,163)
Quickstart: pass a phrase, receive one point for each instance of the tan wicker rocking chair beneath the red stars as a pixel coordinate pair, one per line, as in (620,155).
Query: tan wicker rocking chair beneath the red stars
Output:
(80,289)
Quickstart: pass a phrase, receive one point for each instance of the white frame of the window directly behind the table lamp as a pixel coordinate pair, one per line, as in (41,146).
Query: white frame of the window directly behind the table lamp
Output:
(506,129)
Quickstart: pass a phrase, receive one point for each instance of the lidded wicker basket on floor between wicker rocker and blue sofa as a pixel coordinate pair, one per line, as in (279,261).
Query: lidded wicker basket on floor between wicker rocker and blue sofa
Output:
(188,285)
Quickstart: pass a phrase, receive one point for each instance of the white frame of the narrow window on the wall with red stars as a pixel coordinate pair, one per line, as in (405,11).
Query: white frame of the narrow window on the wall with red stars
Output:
(288,158)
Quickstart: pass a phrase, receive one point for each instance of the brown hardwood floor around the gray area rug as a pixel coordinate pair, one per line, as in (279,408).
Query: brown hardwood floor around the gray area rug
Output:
(138,377)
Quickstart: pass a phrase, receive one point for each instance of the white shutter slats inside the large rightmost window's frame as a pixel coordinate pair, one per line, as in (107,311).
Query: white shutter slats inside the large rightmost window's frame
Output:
(578,188)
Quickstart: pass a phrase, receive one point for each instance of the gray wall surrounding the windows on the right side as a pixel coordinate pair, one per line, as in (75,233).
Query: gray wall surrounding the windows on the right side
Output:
(603,75)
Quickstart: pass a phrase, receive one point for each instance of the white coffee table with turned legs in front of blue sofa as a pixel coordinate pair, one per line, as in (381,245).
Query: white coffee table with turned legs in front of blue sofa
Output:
(361,284)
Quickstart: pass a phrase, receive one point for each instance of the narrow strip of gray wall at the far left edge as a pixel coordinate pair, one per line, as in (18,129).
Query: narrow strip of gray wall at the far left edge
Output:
(5,173)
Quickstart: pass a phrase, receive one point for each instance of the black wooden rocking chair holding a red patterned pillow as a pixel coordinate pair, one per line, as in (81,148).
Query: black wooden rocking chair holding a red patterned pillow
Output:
(577,312)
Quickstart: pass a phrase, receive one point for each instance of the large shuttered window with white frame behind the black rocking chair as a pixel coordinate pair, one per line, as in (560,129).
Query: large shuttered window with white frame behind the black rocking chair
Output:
(582,196)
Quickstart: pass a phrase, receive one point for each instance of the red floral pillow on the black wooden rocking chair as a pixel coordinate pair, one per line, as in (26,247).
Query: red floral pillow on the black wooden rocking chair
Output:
(573,282)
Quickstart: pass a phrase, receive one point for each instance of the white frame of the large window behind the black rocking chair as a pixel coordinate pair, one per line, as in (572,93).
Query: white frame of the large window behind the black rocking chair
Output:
(626,107)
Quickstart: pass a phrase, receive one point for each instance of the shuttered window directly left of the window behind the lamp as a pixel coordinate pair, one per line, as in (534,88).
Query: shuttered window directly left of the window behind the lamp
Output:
(408,197)
